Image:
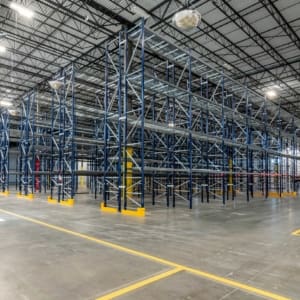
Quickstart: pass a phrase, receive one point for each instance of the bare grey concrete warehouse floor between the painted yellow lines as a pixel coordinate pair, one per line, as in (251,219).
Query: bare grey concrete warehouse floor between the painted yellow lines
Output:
(251,244)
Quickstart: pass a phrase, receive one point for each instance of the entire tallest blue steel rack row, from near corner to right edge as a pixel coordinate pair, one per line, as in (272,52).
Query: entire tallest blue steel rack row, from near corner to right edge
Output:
(158,126)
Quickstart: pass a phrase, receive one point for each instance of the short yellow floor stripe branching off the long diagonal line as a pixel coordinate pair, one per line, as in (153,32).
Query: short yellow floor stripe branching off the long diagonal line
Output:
(139,284)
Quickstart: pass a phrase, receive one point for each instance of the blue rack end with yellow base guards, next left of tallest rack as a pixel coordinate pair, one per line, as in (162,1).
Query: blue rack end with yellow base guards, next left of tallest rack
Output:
(63,148)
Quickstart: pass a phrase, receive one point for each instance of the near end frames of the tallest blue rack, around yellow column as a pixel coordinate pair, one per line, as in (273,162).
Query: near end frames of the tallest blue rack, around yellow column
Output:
(120,187)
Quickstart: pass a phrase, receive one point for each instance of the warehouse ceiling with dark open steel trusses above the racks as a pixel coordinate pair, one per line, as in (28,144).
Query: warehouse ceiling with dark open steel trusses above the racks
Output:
(256,42)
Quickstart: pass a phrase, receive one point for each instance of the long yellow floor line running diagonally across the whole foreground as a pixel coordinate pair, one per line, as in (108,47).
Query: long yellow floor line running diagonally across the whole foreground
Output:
(209,276)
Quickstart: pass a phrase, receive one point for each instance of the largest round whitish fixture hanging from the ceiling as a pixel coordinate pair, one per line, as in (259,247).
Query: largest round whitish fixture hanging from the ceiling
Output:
(187,19)
